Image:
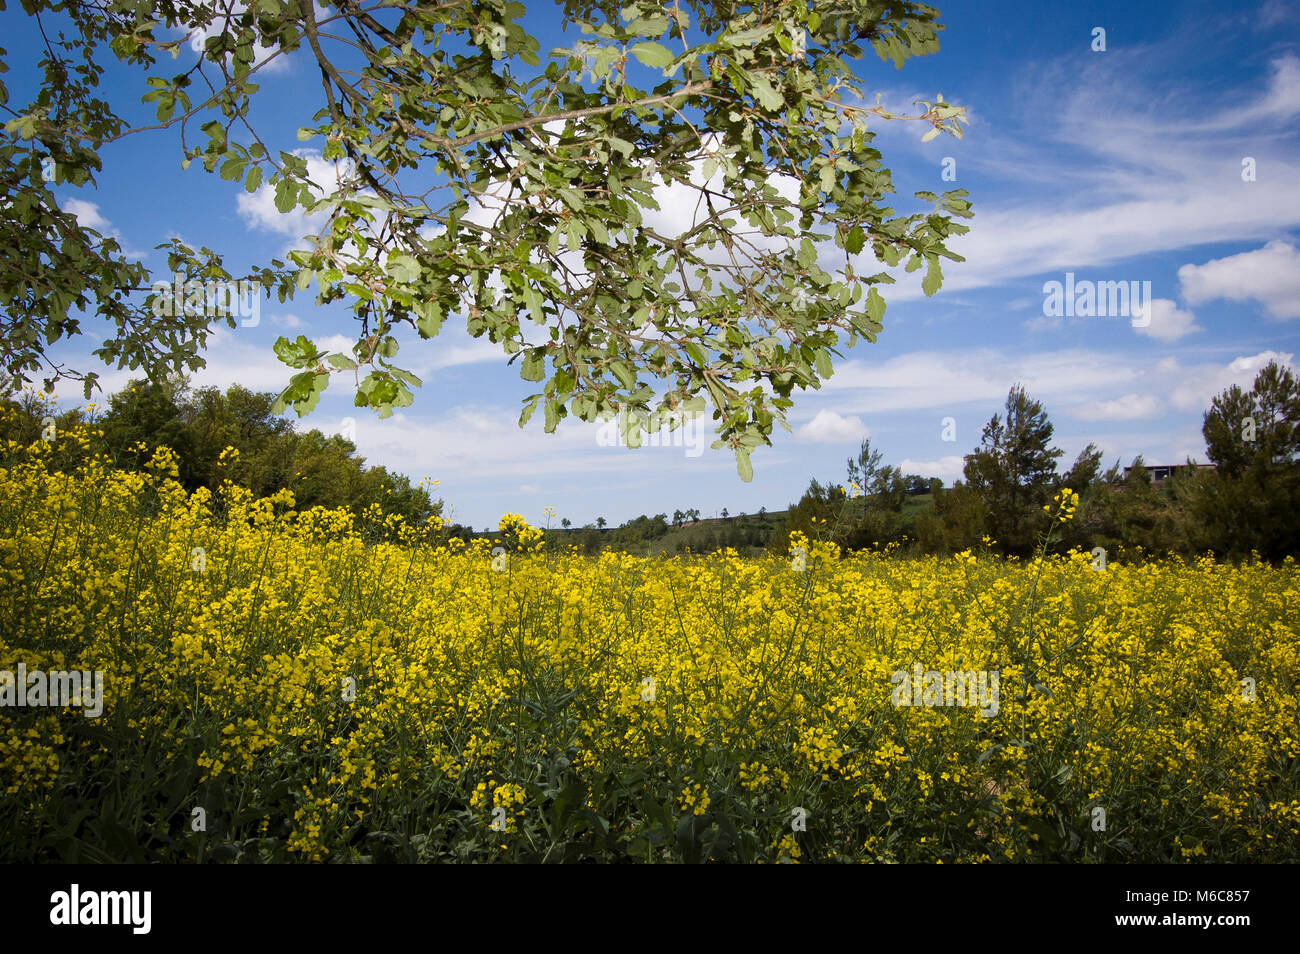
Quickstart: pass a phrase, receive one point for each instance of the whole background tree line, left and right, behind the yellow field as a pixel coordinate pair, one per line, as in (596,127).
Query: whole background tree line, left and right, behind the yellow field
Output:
(1246,502)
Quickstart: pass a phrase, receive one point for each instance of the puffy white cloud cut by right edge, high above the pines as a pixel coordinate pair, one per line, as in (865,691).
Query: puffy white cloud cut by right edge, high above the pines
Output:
(1269,275)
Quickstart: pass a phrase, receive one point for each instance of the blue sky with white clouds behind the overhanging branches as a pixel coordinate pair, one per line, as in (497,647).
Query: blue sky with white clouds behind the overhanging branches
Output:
(1116,166)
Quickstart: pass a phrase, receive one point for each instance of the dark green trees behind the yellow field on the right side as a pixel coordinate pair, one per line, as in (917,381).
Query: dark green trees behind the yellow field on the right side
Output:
(1245,504)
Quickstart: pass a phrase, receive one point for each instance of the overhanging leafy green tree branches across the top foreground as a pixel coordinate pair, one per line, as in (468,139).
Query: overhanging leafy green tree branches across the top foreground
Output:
(470,175)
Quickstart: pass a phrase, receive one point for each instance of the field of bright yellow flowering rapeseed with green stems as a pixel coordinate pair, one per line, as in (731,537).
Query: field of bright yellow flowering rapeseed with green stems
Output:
(283,686)
